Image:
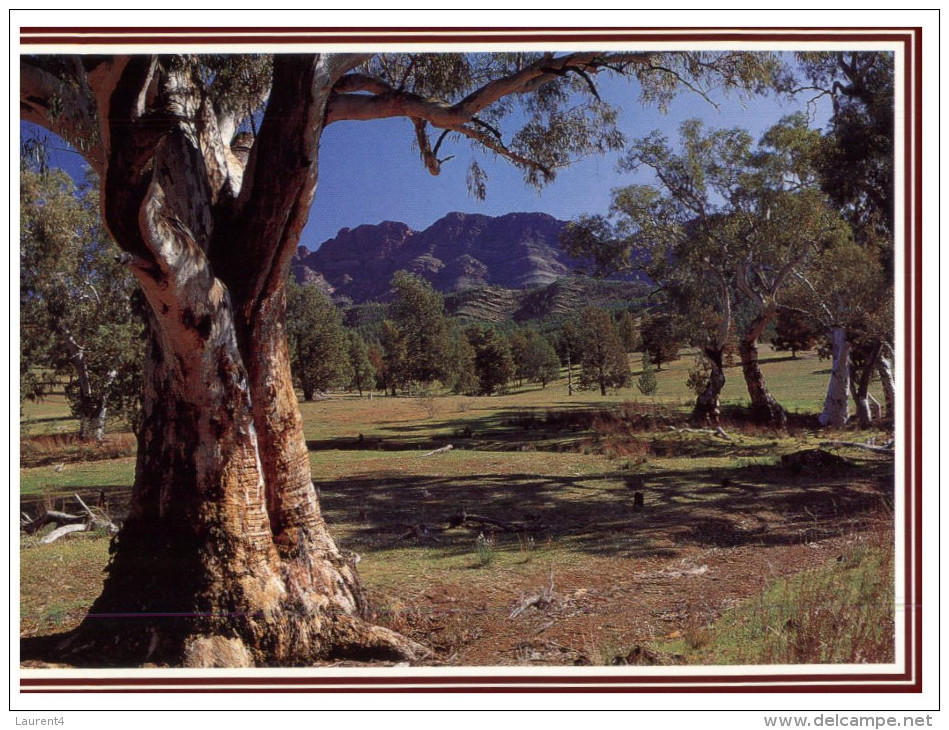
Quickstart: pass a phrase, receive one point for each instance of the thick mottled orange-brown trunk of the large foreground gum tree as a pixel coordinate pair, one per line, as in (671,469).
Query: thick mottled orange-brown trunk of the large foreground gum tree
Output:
(224,559)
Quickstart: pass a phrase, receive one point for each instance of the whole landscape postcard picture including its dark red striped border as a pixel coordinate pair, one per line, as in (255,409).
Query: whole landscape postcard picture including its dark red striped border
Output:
(516,358)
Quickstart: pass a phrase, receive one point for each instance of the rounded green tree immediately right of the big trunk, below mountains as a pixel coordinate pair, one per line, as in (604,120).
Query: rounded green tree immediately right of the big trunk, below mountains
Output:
(319,351)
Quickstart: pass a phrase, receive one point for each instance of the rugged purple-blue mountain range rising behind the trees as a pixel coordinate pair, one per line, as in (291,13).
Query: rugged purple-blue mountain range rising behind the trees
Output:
(495,266)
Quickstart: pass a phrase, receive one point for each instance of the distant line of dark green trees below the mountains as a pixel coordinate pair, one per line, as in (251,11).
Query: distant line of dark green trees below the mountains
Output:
(417,346)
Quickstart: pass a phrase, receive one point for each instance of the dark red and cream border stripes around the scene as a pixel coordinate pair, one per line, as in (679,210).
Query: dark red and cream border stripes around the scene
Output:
(910,680)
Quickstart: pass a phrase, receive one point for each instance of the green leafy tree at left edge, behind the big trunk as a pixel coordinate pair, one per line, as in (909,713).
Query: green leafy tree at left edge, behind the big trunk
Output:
(79,315)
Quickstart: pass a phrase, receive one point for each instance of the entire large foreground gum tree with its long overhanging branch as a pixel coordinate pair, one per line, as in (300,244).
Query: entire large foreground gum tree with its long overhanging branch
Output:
(209,167)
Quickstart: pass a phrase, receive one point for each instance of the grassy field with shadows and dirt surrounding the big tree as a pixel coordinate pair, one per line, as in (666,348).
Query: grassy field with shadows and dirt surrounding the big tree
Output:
(724,531)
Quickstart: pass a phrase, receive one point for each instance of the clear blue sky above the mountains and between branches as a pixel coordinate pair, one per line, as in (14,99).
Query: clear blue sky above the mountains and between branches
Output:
(369,171)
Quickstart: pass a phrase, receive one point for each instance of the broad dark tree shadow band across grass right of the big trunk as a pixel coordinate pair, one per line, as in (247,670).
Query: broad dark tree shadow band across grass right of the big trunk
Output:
(762,506)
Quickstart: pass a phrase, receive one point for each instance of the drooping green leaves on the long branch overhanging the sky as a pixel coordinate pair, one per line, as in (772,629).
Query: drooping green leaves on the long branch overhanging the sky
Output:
(565,118)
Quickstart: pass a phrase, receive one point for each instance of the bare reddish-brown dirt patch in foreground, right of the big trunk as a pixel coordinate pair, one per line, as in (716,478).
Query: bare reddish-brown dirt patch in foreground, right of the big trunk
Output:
(674,569)
